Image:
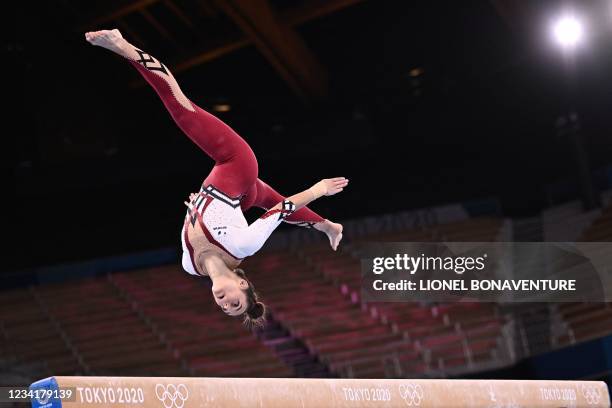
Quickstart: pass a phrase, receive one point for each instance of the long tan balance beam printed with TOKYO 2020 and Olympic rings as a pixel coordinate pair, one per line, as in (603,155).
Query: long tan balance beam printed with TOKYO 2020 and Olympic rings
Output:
(167,392)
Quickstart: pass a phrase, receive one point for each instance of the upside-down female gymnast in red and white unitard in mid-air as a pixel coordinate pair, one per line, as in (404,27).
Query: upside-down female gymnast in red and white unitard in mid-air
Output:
(215,235)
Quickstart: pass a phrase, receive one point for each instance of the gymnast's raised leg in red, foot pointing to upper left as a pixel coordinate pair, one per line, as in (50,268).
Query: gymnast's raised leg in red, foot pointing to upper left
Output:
(235,167)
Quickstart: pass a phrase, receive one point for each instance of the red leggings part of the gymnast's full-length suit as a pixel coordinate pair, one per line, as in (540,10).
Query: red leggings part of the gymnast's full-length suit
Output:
(235,169)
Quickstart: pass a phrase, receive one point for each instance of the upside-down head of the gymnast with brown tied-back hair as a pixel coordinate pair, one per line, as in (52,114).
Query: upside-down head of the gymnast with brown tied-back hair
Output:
(236,296)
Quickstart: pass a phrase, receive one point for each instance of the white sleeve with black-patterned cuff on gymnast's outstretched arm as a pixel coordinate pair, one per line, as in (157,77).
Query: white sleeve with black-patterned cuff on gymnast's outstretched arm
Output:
(248,240)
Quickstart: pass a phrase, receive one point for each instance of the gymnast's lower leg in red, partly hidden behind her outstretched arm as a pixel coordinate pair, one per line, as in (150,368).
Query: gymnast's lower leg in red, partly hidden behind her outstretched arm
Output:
(264,196)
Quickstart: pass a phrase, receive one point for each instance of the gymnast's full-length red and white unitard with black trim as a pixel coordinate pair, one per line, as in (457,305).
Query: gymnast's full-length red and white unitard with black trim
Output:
(214,221)
